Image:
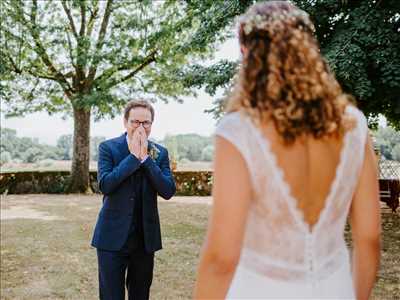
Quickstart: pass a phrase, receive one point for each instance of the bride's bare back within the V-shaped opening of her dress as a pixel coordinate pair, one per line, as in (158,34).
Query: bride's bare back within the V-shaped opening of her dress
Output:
(309,167)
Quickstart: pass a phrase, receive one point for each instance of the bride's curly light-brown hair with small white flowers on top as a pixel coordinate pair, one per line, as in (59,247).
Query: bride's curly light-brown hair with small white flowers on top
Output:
(283,76)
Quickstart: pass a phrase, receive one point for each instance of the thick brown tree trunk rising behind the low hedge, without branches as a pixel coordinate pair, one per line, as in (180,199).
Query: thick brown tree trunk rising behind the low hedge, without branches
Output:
(79,182)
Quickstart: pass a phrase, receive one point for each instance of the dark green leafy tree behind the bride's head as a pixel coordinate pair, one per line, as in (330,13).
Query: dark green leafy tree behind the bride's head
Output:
(360,40)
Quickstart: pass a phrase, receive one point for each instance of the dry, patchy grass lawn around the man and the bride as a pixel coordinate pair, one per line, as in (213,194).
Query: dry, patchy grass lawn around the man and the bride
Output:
(47,254)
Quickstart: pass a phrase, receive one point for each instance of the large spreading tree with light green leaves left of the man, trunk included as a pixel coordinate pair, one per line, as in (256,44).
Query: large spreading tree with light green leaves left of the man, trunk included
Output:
(87,58)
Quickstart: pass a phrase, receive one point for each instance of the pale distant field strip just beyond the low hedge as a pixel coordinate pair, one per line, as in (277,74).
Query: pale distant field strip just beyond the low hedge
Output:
(65,165)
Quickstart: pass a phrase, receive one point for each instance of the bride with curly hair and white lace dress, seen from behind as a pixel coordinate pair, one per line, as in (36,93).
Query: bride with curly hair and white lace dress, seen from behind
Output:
(293,160)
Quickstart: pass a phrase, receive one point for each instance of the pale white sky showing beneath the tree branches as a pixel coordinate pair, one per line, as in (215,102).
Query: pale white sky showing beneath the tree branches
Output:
(171,118)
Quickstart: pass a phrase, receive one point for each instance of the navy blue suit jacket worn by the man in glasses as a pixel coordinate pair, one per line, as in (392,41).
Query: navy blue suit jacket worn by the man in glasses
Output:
(115,167)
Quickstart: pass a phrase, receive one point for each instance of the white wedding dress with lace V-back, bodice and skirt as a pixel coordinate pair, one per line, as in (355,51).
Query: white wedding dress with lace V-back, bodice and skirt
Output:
(281,257)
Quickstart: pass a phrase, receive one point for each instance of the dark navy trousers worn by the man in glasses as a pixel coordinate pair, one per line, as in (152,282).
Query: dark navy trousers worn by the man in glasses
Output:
(131,260)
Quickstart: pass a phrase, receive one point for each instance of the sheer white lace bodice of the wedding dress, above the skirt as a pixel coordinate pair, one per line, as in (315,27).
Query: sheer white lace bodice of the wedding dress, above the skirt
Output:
(278,242)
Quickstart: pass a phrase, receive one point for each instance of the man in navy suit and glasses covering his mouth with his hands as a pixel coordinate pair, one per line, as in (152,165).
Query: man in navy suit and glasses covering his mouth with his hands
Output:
(131,172)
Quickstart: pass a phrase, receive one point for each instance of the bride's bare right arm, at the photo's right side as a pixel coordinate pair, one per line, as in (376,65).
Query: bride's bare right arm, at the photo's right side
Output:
(366,226)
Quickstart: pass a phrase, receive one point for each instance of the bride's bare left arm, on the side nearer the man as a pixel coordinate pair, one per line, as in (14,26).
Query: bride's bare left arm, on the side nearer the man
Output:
(231,199)
